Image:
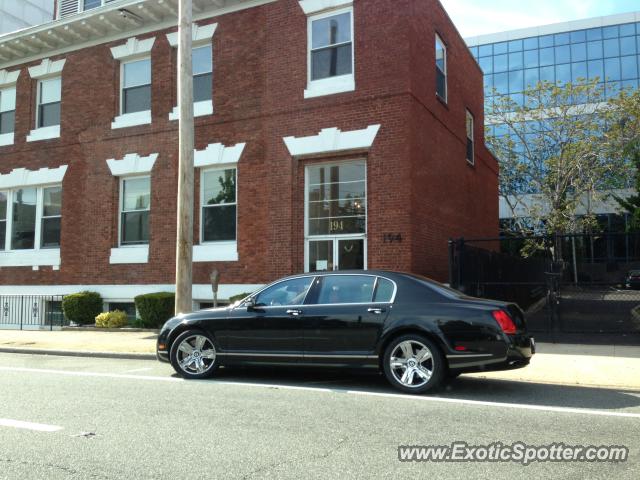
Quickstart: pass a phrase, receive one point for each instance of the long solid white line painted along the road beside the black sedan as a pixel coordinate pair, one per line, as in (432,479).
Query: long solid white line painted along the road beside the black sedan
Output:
(397,396)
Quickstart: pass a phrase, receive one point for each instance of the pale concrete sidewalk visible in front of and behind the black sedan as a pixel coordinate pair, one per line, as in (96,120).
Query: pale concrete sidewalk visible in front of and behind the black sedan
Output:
(561,364)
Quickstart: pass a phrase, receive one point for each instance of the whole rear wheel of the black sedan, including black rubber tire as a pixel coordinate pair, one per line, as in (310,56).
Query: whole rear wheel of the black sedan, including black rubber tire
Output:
(414,364)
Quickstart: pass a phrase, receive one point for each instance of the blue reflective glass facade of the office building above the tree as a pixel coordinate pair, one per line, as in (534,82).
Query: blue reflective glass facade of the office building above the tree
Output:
(610,53)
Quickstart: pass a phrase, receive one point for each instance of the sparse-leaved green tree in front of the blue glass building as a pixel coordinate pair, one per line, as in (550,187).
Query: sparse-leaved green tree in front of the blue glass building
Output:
(555,155)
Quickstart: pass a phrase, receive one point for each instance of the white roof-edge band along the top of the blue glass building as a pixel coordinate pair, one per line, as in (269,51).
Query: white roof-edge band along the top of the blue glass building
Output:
(563,27)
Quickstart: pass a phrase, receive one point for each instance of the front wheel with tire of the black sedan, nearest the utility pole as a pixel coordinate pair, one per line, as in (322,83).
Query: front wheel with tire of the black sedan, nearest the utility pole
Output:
(194,355)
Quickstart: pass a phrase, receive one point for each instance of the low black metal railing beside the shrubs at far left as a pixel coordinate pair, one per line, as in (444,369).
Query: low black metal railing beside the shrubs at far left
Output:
(31,311)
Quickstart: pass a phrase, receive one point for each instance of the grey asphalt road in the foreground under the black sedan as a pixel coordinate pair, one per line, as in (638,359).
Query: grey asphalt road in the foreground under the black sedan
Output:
(133,419)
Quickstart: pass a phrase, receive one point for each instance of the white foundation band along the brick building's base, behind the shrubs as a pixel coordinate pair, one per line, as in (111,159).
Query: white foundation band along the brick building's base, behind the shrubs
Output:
(200,292)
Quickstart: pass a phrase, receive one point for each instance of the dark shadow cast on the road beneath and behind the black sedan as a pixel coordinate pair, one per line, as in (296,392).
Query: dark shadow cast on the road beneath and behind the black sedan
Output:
(464,387)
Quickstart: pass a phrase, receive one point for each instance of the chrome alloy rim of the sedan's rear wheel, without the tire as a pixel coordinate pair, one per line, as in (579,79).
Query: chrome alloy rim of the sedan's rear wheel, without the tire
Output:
(411,364)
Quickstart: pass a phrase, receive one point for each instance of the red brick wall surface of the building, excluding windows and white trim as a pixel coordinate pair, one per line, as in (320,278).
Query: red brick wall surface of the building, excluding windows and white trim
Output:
(419,184)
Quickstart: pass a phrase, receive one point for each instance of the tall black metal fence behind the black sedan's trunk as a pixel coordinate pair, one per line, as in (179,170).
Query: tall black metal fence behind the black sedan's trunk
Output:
(572,284)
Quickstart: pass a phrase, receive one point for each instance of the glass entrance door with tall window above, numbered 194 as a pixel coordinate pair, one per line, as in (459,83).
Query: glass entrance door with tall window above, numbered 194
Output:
(336,216)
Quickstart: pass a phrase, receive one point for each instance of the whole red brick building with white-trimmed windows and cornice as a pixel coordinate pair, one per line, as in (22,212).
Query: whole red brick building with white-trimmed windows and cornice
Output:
(329,134)
